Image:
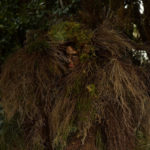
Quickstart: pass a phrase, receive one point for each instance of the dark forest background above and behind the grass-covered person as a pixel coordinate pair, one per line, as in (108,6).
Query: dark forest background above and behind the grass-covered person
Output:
(17,17)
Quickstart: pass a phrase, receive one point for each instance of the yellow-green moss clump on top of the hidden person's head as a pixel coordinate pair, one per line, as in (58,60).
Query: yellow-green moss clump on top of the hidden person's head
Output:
(70,31)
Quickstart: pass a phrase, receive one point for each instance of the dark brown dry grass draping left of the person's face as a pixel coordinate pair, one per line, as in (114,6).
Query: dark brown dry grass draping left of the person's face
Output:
(32,109)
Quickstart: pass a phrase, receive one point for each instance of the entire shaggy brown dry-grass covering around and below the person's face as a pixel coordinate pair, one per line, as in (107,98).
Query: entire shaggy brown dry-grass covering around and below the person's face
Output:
(104,92)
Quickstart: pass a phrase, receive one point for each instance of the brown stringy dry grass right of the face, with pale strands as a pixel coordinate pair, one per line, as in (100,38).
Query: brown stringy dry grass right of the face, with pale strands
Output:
(116,92)
